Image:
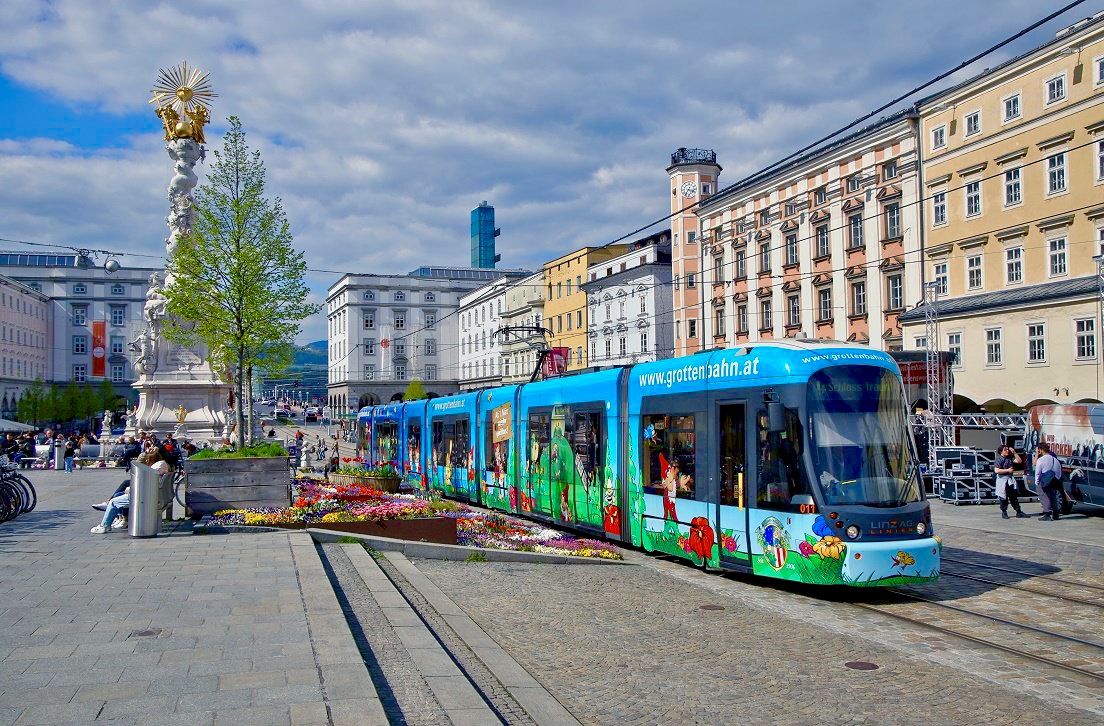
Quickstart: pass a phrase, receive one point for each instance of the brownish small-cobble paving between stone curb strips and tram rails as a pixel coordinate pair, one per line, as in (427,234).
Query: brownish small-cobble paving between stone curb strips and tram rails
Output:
(635,646)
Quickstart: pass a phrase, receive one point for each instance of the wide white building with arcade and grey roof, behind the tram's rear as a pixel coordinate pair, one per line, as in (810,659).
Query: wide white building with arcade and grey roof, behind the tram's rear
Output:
(387,330)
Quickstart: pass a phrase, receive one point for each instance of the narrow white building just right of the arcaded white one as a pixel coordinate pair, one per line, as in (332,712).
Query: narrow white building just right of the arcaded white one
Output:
(483,365)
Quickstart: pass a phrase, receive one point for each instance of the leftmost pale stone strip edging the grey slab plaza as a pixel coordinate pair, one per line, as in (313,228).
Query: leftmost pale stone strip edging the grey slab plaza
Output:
(347,687)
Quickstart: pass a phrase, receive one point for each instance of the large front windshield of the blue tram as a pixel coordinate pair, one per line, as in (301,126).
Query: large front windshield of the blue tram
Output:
(861,439)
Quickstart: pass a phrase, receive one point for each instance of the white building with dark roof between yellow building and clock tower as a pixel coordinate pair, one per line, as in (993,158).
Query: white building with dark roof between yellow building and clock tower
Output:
(630,300)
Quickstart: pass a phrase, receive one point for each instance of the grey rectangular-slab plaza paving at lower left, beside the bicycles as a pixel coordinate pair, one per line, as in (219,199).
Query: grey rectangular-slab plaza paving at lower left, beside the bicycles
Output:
(175,629)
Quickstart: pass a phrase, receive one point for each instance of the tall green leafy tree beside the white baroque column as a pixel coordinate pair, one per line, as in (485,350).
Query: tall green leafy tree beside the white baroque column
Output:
(237,281)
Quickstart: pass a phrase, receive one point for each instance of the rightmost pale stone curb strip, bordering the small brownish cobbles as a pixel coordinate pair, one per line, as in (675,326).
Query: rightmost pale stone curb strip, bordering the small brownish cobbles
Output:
(542,706)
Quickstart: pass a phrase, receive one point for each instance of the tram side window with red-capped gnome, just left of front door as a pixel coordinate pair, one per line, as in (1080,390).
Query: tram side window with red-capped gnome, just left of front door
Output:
(670,447)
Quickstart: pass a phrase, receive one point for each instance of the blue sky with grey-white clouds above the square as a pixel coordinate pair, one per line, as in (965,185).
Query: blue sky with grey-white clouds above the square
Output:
(383,125)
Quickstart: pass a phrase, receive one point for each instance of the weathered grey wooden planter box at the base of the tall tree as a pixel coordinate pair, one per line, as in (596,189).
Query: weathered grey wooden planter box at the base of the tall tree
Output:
(217,485)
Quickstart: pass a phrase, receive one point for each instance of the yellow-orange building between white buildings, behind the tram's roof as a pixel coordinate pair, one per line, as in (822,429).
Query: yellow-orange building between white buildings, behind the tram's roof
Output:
(566,301)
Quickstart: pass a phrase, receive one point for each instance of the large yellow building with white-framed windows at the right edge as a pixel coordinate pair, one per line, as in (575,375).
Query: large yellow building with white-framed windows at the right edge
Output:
(1013,173)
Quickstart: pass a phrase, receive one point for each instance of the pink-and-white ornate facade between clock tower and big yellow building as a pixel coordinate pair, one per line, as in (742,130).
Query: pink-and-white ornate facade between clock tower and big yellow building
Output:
(818,247)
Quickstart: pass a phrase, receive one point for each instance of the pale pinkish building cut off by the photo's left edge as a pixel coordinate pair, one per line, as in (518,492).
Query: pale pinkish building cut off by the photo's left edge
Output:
(25,341)
